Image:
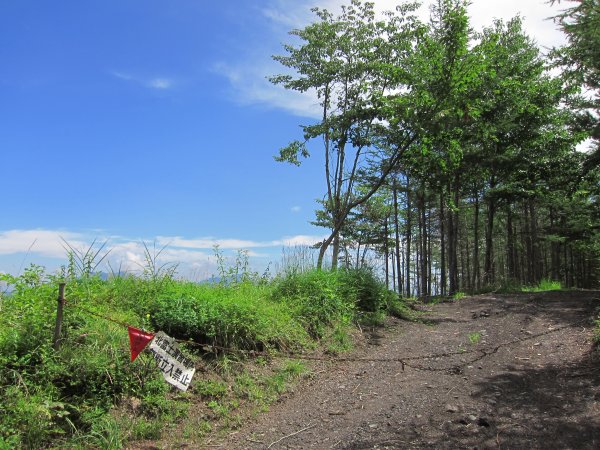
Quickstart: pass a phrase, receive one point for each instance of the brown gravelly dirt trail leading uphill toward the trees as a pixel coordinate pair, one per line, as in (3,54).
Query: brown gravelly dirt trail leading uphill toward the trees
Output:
(493,371)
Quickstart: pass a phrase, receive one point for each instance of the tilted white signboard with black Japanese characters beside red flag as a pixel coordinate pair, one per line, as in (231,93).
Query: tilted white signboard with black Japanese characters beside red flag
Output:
(176,368)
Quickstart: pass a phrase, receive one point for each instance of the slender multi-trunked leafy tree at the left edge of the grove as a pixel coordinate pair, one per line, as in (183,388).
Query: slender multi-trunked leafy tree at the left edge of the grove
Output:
(352,62)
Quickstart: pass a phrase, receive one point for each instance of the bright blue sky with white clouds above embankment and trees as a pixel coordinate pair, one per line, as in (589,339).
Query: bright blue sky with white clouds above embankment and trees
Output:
(152,121)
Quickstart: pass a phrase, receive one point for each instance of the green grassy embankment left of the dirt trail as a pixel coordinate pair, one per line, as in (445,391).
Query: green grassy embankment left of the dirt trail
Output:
(88,394)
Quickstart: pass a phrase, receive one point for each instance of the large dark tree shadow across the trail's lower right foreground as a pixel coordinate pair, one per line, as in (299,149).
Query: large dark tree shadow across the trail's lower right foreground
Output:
(555,407)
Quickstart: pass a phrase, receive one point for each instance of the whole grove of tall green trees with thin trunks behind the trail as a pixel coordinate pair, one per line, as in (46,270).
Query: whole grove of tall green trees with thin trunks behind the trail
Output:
(443,144)
